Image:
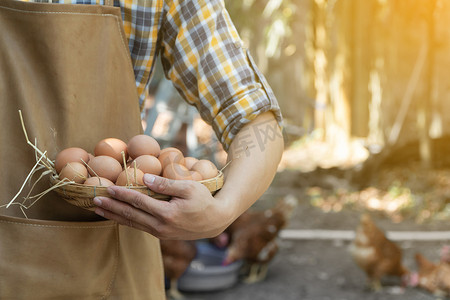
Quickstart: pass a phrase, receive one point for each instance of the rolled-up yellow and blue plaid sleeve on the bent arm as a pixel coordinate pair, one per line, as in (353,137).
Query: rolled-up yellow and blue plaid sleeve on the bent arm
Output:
(202,55)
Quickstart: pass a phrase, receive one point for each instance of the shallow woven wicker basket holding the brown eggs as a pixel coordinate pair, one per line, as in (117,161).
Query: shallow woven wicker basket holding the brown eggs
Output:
(82,195)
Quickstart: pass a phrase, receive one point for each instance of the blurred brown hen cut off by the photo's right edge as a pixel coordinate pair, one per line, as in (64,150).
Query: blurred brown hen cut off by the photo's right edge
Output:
(434,278)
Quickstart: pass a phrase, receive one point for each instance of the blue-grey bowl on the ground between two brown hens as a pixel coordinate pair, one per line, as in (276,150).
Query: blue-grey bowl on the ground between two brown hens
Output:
(207,273)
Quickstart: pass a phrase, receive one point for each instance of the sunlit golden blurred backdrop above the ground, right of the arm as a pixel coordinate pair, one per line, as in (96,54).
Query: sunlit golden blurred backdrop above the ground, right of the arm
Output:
(370,69)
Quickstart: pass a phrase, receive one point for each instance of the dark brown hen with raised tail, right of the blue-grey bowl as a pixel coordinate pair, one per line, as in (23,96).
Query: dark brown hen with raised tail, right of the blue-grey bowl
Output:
(253,237)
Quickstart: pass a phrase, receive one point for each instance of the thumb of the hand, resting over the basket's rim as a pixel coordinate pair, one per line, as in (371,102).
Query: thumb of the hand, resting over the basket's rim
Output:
(166,186)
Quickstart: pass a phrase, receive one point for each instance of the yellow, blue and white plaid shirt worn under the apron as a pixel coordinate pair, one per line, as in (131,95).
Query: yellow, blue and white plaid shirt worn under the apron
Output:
(202,55)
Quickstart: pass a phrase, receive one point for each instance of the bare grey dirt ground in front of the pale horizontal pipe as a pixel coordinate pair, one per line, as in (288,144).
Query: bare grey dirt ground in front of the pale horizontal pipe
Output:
(319,270)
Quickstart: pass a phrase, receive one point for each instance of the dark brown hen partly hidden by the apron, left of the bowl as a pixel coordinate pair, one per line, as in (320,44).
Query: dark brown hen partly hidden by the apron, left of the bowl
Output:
(177,256)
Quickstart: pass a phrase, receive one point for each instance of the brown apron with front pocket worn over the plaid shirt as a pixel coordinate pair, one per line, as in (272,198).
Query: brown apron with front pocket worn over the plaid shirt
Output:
(68,68)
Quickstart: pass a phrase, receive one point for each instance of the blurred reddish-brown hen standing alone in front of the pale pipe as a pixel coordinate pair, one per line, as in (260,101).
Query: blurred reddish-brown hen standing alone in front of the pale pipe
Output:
(376,255)
